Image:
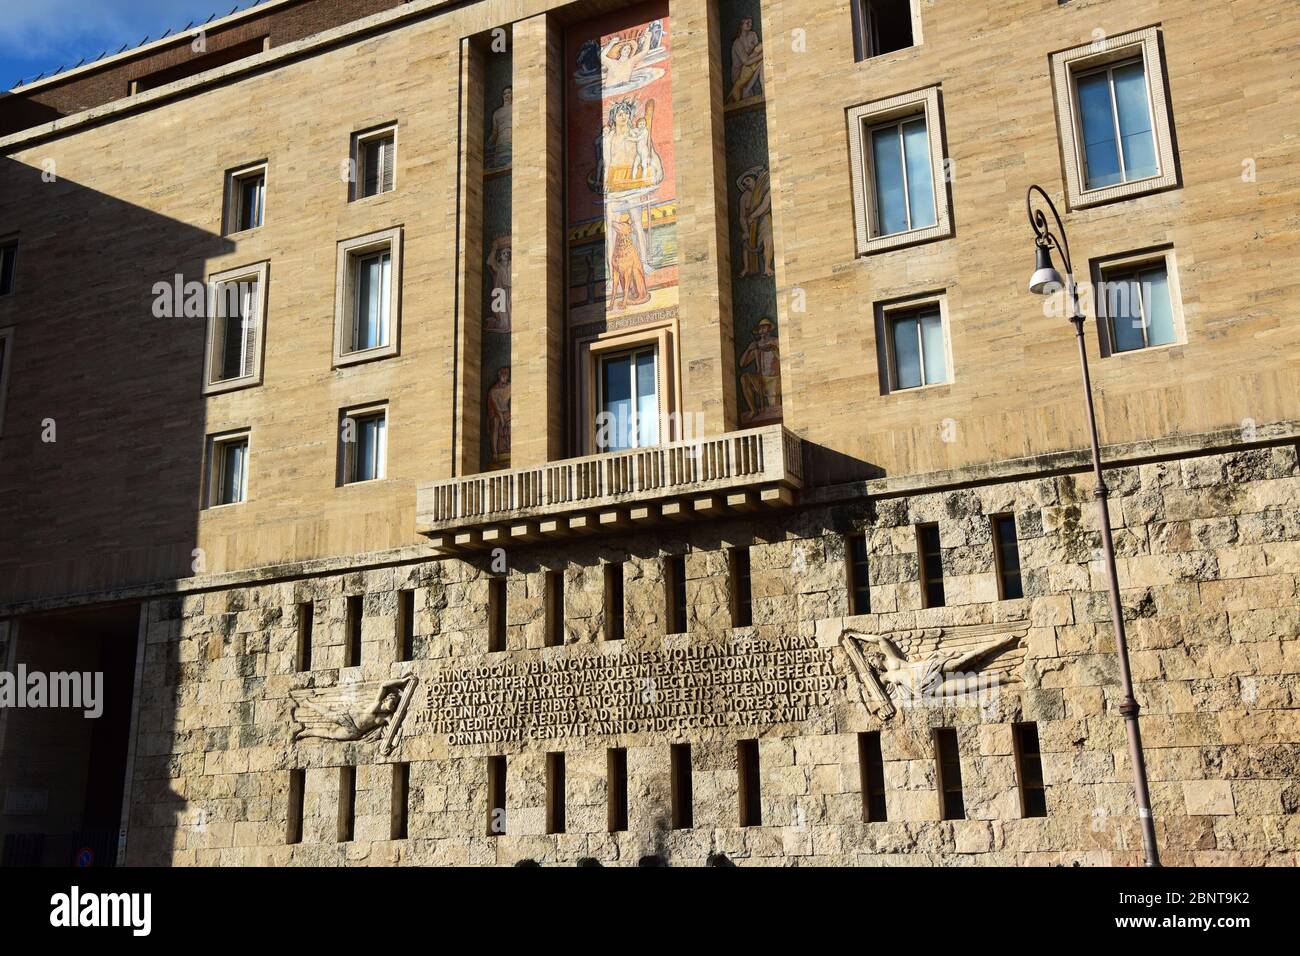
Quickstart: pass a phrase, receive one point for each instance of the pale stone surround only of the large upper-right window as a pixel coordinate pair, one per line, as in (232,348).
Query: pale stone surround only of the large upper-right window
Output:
(1067,68)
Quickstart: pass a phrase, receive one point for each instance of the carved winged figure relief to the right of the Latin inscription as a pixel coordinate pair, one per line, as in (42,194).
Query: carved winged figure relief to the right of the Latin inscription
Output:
(934,665)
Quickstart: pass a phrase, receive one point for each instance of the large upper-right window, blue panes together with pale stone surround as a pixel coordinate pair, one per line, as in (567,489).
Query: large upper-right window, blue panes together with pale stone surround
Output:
(1115,119)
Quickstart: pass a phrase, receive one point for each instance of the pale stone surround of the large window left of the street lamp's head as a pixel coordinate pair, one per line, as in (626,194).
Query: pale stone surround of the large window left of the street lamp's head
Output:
(872,116)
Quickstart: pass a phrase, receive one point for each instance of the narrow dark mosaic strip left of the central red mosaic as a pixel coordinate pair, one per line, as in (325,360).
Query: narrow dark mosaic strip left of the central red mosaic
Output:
(495,356)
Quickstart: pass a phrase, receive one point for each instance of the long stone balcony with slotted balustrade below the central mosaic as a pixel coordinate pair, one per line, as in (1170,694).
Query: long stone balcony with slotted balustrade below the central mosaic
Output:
(699,478)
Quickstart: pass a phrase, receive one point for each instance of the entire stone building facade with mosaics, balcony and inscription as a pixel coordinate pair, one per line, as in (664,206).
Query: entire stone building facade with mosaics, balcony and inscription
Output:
(801,609)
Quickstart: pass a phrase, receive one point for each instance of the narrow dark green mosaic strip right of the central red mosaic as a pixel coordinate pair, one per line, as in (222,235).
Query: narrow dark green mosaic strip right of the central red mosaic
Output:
(749,204)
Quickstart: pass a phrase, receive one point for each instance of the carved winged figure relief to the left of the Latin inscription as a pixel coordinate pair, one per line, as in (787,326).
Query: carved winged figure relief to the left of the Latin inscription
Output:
(363,711)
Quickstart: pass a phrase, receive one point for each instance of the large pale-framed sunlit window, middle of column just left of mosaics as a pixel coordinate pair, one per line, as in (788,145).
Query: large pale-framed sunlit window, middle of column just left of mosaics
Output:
(367,293)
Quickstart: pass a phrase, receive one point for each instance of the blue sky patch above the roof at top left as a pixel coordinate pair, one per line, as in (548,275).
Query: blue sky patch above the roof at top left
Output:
(38,36)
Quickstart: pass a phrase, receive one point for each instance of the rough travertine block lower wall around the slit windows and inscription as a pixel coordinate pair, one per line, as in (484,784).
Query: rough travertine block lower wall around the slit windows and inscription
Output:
(1210,564)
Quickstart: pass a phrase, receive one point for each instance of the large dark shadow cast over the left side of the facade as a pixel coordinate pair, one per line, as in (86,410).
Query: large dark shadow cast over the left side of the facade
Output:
(101,482)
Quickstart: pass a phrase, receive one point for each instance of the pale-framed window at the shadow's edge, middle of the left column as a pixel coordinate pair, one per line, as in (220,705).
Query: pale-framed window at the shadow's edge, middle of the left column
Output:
(236,304)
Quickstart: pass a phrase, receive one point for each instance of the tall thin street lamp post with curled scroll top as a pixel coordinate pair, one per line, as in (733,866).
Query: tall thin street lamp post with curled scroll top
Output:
(1046,282)
